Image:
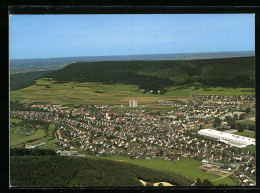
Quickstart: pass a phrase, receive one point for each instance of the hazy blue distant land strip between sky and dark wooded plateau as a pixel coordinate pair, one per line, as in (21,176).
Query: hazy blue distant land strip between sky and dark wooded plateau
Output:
(18,65)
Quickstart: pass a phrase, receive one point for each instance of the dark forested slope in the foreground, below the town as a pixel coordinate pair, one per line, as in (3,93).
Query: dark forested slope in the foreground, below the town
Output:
(59,171)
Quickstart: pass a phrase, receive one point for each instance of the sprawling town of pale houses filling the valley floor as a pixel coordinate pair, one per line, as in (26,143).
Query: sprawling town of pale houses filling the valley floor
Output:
(105,130)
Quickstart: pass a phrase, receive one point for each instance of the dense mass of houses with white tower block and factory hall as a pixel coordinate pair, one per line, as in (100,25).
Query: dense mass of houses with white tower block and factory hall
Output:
(178,133)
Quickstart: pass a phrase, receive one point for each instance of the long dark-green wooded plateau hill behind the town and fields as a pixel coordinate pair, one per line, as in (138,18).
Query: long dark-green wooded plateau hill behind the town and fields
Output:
(227,72)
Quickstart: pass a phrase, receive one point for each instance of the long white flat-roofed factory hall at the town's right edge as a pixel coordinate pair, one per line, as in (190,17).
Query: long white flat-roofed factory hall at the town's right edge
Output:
(228,138)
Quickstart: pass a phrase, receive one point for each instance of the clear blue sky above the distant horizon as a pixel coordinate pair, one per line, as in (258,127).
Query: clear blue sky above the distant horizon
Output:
(51,36)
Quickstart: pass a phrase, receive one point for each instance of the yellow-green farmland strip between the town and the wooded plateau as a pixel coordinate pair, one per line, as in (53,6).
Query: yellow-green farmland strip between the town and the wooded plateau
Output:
(46,90)
